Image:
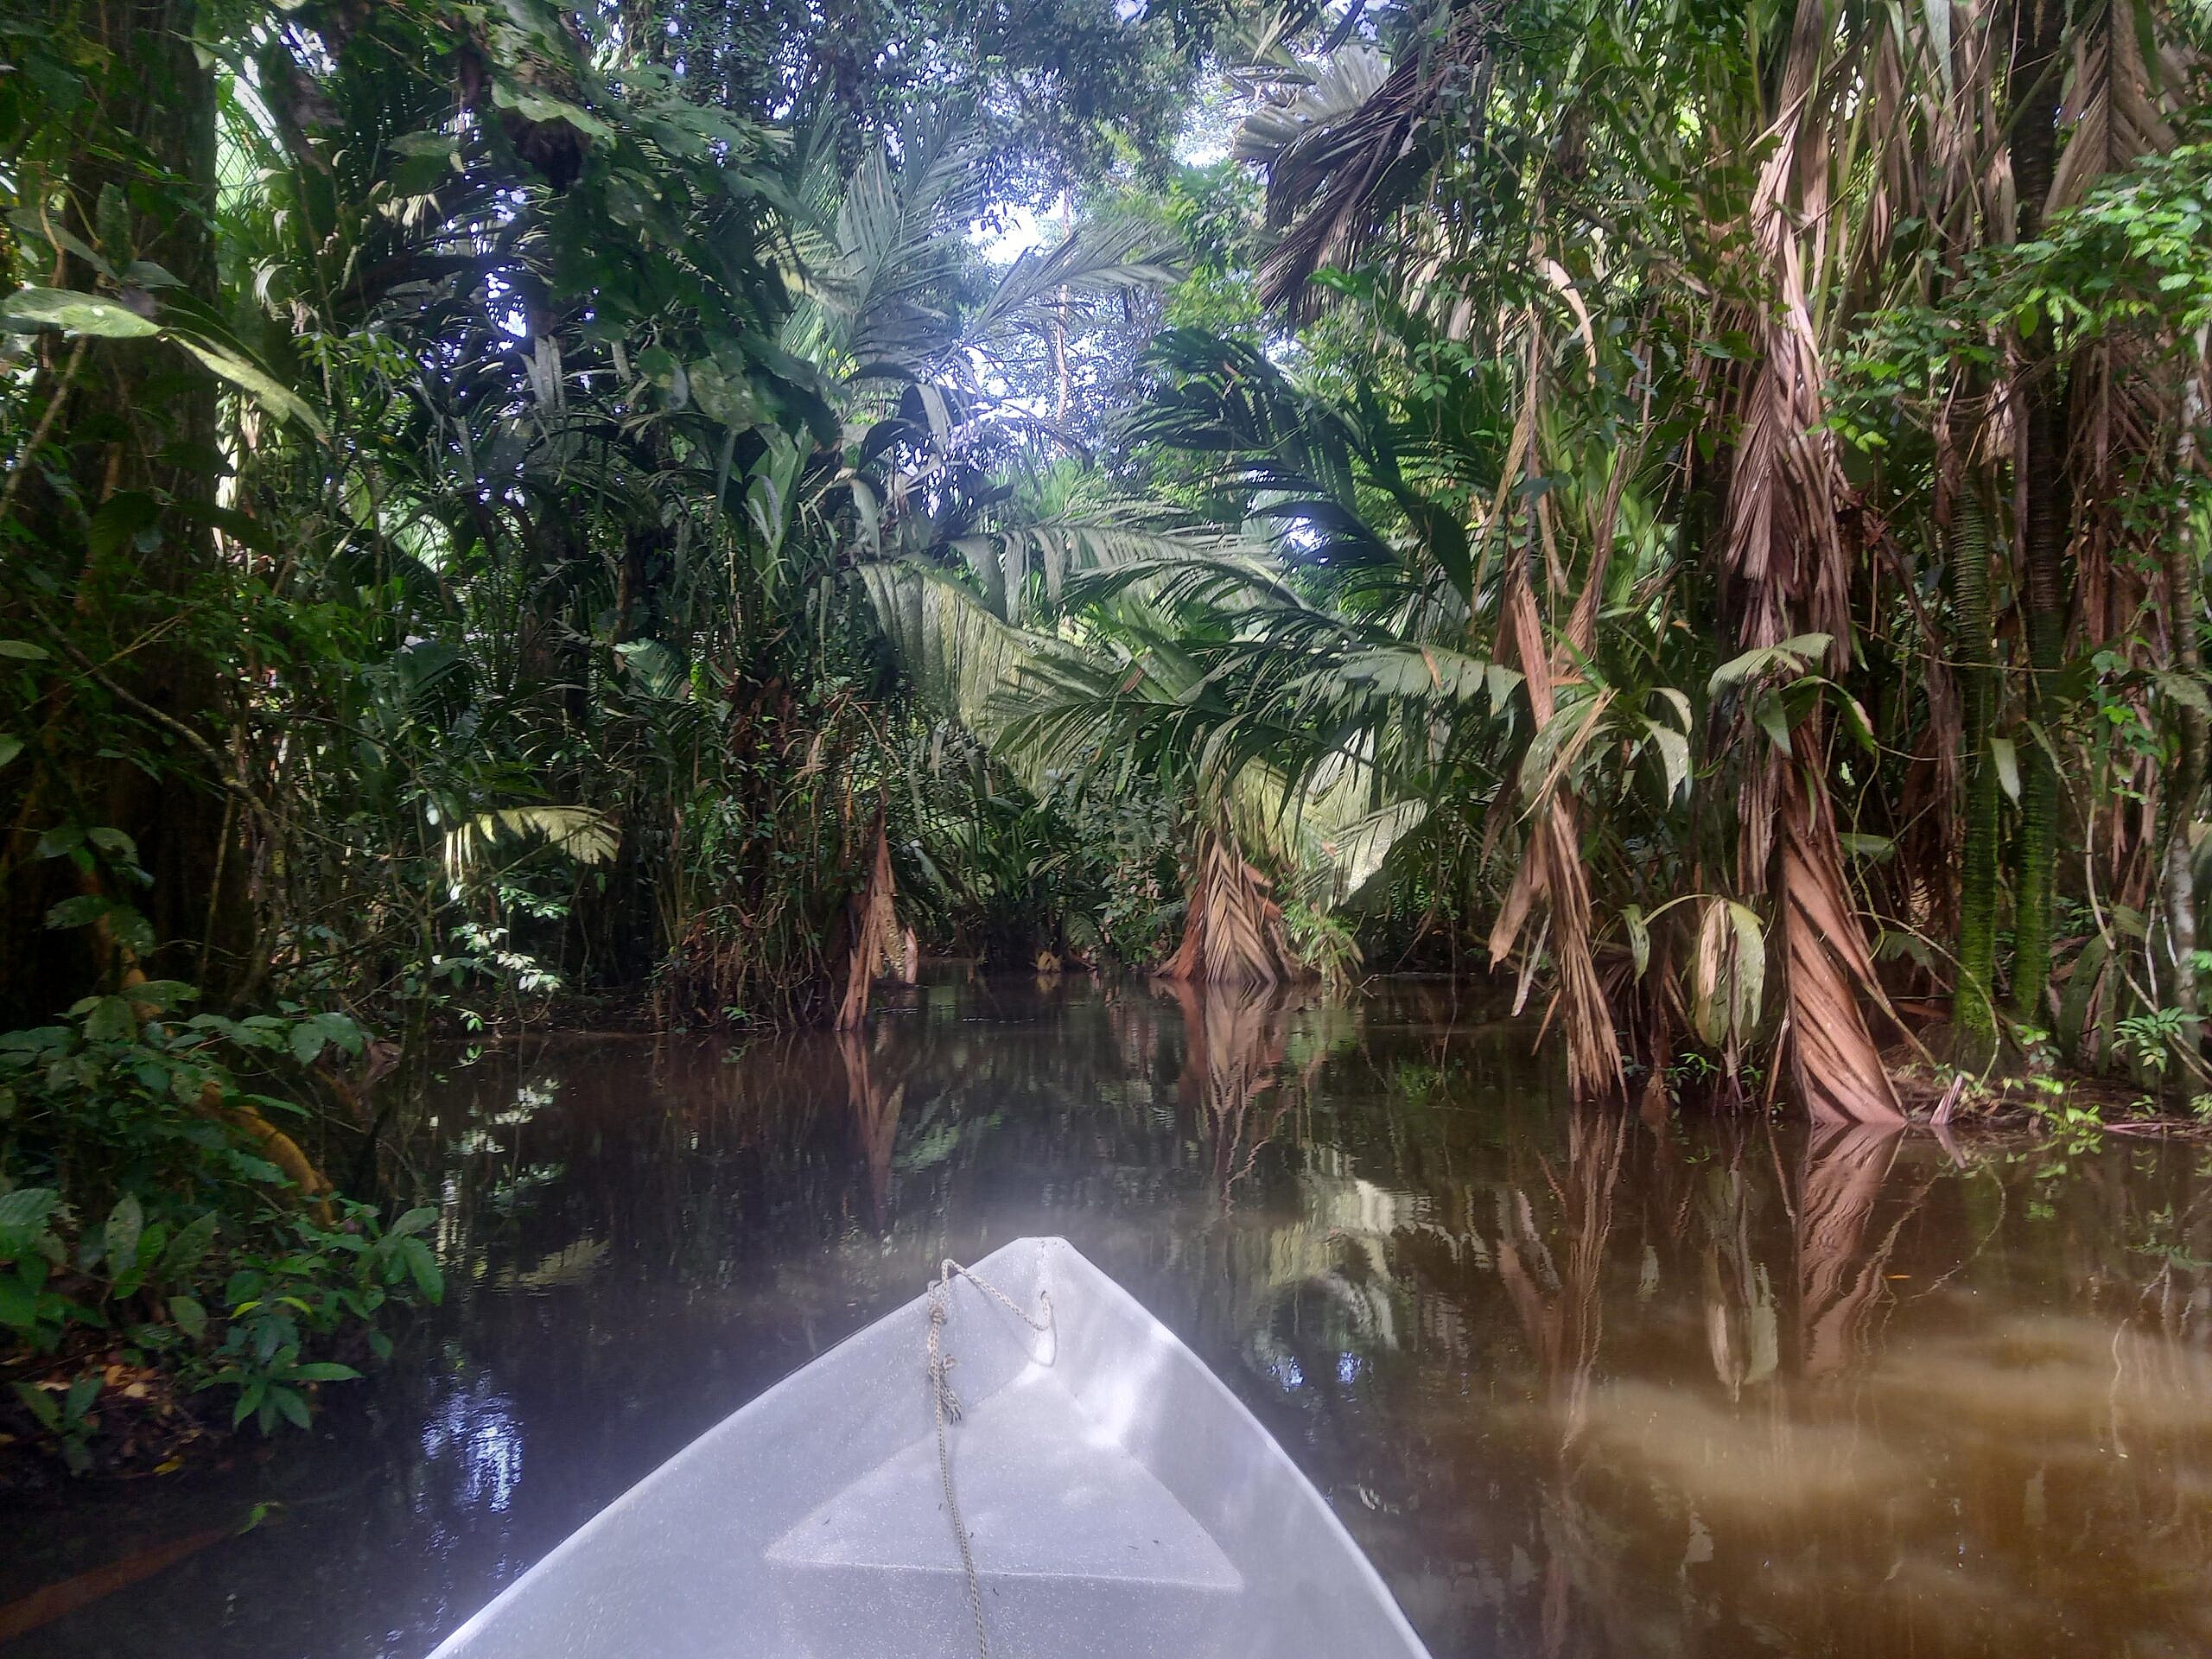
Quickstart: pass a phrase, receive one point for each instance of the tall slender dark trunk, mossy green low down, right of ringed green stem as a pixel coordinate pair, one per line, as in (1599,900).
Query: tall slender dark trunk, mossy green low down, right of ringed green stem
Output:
(2045,532)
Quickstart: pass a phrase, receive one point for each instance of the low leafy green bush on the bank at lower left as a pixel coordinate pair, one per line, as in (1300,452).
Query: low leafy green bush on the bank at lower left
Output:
(154,1218)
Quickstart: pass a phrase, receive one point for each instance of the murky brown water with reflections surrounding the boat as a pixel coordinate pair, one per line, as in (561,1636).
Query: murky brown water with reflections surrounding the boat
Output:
(1576,1384)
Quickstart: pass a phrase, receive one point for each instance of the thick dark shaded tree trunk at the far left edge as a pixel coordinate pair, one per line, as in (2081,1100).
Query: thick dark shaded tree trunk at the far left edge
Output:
(114,570)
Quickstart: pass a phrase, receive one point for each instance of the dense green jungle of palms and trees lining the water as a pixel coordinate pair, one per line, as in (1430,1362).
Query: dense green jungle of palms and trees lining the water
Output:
(667,510)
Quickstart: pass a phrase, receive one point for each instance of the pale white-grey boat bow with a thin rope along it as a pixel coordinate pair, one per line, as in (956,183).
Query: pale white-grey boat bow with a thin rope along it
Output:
(1120,1503)
